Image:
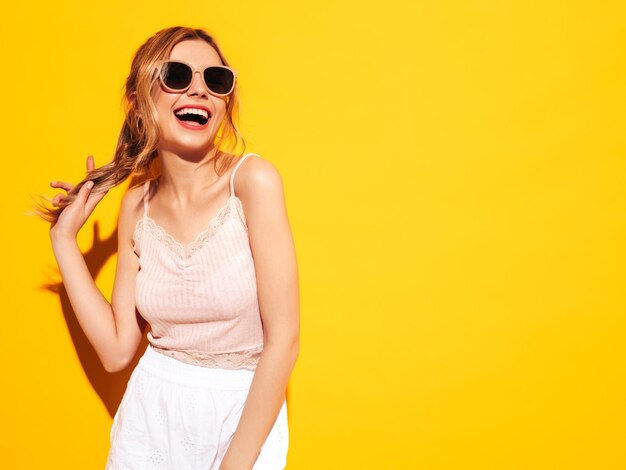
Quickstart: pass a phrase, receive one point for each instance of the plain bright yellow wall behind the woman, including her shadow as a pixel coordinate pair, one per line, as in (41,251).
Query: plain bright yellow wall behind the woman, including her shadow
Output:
(454,173)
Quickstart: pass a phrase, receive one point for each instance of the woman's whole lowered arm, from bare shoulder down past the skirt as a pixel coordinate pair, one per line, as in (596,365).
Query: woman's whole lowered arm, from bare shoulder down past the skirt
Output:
(260,190)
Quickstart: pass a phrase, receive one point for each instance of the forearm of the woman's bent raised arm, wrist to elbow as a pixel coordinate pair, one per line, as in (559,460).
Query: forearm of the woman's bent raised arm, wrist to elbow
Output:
(92,309)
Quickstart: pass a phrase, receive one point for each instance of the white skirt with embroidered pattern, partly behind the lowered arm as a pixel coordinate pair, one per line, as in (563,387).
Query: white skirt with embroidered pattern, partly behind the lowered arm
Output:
(180,416)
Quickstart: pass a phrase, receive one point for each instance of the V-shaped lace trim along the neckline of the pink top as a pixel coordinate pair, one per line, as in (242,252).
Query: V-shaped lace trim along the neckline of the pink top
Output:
(186,251)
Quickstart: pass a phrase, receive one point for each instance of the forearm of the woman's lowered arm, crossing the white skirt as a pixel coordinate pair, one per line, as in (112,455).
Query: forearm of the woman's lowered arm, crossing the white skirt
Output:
(265,398)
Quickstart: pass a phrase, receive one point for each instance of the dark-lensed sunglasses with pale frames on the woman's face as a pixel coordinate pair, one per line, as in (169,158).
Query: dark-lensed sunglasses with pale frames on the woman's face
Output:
(176,76)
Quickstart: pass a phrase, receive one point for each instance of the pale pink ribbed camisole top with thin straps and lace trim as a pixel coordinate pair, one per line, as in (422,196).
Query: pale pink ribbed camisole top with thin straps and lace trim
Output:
(200,300)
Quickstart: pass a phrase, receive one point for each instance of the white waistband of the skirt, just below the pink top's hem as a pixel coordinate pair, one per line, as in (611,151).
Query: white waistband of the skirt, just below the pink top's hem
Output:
(177,371)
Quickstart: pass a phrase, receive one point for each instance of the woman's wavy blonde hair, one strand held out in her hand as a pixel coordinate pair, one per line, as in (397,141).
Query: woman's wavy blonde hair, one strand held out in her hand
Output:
(136,149)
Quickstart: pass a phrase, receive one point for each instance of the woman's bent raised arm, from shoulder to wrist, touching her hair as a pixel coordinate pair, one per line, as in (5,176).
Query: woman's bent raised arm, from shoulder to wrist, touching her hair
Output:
(114,329)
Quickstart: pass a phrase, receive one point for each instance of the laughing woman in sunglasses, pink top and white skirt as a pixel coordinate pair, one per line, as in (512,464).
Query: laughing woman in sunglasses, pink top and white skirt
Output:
(205,257)
